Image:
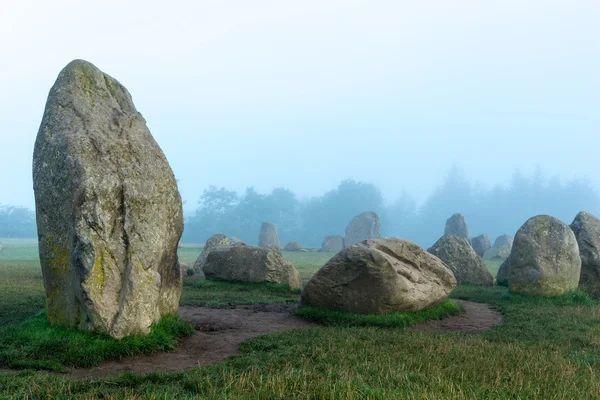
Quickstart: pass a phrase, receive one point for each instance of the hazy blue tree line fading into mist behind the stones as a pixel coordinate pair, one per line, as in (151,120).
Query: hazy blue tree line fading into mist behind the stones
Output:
(496,211)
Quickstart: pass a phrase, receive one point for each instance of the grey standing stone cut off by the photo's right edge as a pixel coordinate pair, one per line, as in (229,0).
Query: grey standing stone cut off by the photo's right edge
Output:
(587,232)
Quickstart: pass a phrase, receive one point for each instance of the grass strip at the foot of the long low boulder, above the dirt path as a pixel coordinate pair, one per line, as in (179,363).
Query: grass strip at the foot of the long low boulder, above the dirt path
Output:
(222,293)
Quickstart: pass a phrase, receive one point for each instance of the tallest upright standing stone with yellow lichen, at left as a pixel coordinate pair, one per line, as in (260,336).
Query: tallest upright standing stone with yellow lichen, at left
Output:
(109,215)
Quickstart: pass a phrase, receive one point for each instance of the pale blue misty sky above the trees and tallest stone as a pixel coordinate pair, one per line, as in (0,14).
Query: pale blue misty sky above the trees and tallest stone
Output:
(305,94)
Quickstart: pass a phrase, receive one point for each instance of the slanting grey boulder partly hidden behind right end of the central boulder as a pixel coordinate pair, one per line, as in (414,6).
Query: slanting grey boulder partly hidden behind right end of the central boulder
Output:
(466,265)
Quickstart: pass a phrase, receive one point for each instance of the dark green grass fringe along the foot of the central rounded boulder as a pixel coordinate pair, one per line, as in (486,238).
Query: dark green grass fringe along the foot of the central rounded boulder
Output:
(392,320)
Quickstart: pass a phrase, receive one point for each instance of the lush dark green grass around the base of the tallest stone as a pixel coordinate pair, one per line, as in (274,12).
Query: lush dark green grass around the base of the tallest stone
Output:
(36,344)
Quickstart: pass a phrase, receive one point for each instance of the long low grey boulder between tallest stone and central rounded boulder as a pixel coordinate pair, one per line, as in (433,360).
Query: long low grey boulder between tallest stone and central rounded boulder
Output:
(243,263)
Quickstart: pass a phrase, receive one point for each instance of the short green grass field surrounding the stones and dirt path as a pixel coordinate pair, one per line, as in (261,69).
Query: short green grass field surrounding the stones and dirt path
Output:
(545,349)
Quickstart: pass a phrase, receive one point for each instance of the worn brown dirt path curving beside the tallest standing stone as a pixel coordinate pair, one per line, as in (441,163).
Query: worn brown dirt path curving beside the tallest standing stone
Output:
(219,333)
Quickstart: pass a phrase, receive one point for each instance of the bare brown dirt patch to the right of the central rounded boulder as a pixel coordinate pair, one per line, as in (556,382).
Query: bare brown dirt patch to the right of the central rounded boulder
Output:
(477,317)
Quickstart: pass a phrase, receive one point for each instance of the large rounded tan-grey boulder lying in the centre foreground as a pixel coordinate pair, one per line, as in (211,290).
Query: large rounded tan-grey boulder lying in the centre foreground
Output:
(380,276)
